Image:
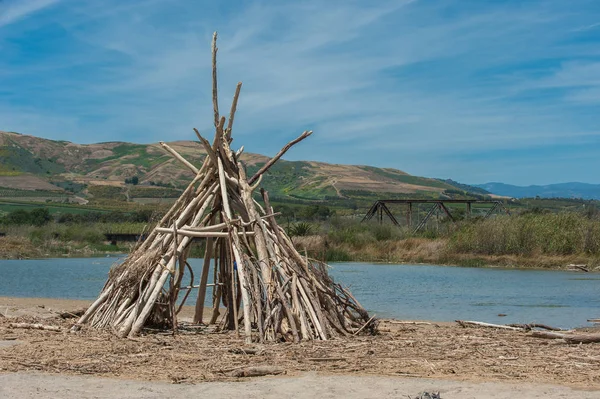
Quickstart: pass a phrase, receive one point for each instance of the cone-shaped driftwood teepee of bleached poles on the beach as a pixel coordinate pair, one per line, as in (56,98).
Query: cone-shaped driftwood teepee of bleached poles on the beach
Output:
(283,295)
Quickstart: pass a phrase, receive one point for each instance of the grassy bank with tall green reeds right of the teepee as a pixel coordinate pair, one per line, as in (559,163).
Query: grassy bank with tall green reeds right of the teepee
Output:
(529,240)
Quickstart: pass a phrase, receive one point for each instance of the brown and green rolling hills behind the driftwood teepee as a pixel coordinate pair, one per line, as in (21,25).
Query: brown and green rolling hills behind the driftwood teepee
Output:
(29,163)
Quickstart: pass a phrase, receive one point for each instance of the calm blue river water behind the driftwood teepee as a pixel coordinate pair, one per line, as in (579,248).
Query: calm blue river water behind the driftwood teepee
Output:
(415,292)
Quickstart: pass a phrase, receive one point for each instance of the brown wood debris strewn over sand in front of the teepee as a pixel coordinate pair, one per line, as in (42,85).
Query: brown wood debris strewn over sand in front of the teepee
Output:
(438,350)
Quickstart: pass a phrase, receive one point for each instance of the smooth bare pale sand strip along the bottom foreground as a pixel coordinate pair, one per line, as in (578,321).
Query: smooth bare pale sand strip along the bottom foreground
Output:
(307,385)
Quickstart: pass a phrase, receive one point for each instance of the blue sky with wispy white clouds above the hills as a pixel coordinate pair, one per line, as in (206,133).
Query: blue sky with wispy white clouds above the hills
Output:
(471,90)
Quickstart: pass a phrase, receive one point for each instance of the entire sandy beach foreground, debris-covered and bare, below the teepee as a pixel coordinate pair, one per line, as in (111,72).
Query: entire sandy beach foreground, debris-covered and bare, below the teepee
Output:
(404,359)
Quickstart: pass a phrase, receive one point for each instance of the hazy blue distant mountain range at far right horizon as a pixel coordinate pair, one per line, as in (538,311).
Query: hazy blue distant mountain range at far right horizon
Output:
(560,190)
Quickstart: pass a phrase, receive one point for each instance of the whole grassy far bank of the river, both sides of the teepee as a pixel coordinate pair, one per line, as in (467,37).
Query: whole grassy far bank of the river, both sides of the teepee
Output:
(537,240)
